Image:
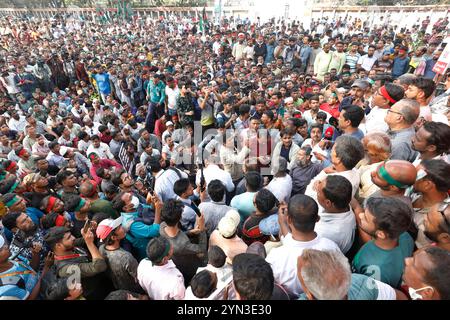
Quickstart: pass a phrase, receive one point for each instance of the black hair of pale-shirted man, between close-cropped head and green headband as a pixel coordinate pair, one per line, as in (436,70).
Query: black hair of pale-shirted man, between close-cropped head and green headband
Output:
(338,190)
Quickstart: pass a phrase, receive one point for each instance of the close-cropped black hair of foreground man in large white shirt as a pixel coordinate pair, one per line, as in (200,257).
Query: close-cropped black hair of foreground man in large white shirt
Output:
(303,212)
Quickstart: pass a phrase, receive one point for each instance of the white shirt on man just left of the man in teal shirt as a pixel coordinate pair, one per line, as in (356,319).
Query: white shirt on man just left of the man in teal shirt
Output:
(338,227)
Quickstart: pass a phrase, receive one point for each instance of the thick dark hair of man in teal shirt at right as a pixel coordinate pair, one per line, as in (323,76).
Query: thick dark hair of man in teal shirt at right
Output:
(392,215)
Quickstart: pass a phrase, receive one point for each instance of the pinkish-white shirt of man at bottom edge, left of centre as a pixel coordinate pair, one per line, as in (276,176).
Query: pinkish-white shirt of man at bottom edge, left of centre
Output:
(161,282)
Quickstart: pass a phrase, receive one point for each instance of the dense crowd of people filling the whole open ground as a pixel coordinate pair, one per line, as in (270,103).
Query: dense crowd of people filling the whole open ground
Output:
(150,160)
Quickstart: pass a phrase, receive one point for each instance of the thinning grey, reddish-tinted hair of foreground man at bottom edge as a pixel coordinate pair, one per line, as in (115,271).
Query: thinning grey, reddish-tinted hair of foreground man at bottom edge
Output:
(326,274)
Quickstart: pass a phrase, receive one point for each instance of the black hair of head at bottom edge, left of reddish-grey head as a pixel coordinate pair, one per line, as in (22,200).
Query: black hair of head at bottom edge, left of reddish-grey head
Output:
(252,277)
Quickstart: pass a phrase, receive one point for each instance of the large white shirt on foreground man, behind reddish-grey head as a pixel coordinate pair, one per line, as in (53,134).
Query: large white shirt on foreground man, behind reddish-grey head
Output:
(283,260)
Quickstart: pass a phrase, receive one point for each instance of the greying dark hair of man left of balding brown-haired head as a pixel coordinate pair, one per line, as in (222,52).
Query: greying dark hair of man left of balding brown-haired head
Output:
(349,150)
